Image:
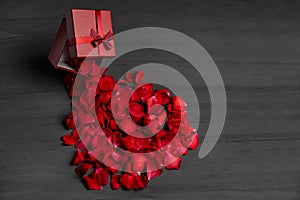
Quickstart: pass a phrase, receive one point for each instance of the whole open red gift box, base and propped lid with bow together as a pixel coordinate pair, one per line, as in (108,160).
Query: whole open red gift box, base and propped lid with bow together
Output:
(79,33)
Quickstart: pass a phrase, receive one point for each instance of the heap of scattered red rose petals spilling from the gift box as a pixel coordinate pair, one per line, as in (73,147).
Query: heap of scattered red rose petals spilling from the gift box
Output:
(168,119)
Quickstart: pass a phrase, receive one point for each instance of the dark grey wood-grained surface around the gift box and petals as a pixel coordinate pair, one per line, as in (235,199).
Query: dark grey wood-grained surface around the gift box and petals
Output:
(254,43)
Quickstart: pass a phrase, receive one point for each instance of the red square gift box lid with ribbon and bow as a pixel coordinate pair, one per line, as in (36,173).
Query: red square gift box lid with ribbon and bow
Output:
(89,29)
